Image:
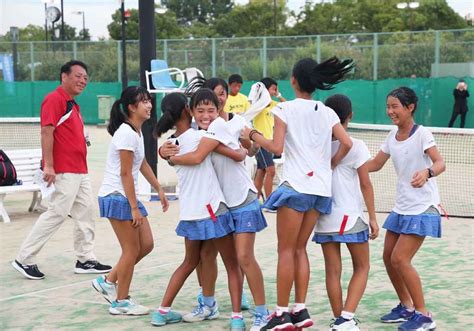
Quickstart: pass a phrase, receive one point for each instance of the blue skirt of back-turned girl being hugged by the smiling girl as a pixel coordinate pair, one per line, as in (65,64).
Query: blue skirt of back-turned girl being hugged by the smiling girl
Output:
(206,229)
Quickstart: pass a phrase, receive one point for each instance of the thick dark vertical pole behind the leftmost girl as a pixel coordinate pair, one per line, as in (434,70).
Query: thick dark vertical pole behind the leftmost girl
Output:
(146,11)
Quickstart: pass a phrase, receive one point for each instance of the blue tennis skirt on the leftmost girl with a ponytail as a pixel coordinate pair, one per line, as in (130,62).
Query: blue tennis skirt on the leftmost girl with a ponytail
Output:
(116,206)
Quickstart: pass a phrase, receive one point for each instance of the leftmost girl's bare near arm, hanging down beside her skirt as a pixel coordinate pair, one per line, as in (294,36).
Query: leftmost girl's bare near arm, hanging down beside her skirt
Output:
(126,162)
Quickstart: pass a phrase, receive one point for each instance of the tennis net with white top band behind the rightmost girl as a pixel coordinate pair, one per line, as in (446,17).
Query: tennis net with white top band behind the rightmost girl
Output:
(456,184)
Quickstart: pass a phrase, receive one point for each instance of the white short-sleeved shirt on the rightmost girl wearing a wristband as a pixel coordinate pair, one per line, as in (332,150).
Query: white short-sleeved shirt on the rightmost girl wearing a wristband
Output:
(408,157)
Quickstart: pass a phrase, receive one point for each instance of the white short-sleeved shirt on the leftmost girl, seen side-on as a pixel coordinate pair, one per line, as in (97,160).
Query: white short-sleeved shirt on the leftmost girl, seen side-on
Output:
(125,138)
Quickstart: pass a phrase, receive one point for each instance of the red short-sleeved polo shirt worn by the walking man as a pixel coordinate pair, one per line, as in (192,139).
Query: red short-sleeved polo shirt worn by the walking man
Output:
(69,149)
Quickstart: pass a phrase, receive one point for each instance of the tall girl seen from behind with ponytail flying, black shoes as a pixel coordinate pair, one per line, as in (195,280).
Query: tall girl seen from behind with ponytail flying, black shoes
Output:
(304,128)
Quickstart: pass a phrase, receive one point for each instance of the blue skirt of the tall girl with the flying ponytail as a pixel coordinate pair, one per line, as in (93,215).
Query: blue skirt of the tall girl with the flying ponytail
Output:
(289,197)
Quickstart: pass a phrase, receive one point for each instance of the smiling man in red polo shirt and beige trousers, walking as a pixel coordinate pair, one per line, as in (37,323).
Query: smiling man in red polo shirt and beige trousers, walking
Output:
(64,163)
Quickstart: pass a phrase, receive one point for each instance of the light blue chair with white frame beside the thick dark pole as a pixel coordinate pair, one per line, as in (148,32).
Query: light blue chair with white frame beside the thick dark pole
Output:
(160,76)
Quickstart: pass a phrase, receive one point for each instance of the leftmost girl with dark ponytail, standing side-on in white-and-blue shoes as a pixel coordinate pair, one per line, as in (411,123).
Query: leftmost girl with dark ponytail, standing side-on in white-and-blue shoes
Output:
(118,201)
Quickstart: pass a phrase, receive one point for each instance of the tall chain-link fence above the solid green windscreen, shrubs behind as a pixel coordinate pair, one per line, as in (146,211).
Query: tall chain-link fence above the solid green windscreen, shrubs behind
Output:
(377,55)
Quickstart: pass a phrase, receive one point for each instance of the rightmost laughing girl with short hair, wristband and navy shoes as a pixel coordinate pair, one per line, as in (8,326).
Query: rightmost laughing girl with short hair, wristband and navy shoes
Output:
(417,161)
